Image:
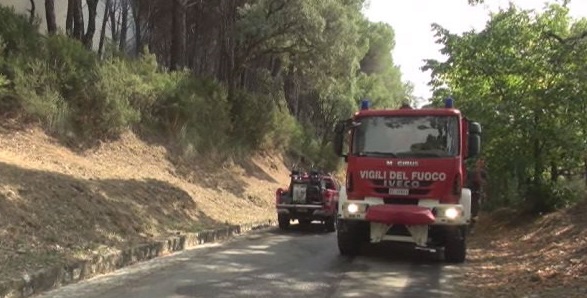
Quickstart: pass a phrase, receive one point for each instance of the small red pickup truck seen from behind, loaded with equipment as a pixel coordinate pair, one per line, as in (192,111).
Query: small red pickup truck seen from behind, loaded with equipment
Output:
(310,196)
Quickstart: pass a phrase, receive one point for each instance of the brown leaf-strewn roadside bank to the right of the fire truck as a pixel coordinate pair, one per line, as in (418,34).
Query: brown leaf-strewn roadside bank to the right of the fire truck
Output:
(512,255)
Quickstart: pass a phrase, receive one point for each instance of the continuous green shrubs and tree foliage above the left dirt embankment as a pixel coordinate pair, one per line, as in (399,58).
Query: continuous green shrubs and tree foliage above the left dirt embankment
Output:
(327,52)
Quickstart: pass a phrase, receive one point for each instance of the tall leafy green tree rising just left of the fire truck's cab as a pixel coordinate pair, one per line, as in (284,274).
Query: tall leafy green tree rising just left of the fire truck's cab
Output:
(332,53)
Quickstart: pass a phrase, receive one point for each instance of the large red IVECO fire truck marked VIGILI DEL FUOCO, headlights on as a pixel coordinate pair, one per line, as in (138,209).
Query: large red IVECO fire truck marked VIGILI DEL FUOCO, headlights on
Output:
(404,178)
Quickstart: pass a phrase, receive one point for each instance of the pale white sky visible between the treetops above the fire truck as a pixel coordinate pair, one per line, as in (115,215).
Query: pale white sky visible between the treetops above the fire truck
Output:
(414,38)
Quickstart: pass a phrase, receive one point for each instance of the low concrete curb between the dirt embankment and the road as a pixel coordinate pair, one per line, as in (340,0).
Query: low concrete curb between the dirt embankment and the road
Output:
(58,276)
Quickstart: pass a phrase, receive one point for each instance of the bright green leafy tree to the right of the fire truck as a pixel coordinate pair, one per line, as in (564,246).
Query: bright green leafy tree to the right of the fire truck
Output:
(521,78)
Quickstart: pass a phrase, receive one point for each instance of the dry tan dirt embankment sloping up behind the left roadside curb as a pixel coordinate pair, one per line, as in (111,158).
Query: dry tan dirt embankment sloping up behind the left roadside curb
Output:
(57,205)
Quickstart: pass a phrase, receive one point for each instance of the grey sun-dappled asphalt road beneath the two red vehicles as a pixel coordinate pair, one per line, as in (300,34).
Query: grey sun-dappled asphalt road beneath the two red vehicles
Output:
(271,263)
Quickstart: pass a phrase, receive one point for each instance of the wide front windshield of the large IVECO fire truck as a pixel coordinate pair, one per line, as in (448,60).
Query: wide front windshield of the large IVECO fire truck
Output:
(407,136)
